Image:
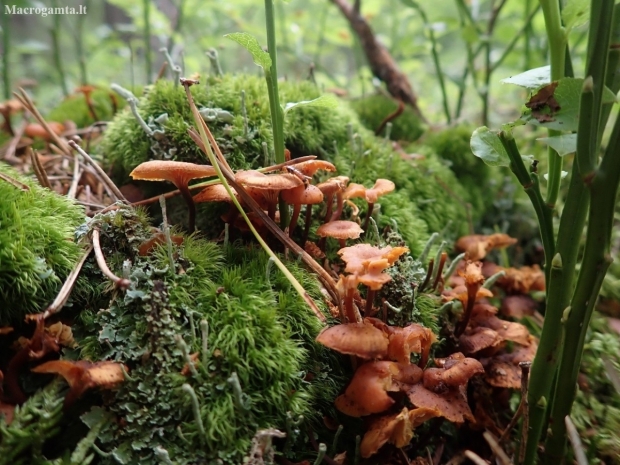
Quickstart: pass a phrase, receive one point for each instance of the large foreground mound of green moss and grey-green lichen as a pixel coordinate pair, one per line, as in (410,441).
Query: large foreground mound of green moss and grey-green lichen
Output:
(259,332)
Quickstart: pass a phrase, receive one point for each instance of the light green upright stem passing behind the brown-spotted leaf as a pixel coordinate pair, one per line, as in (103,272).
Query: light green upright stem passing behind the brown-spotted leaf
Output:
(556,37)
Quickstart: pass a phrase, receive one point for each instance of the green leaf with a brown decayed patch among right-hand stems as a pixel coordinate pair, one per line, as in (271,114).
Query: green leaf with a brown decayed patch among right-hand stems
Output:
(566,98)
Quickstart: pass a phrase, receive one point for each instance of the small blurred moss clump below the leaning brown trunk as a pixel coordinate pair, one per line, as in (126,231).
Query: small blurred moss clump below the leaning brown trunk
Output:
(373,109)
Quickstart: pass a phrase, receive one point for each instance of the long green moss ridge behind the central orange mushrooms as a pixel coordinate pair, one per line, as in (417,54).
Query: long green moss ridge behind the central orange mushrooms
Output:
(428,195)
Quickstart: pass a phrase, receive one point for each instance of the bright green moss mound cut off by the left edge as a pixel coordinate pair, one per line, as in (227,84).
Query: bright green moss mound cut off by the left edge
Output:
(37,247)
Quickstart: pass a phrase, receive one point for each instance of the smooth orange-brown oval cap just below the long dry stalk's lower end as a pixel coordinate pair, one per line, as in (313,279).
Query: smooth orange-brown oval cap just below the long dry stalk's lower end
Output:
(361,339)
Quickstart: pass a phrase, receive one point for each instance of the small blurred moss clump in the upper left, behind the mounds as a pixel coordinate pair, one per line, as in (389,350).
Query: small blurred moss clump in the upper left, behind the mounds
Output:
(74,108)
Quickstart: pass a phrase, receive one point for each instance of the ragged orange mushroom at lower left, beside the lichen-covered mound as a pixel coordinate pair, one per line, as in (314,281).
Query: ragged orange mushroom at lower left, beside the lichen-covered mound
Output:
(83,375)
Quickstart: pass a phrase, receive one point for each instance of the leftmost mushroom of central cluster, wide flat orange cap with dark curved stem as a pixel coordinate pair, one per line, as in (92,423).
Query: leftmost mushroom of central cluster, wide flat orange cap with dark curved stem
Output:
(177,172)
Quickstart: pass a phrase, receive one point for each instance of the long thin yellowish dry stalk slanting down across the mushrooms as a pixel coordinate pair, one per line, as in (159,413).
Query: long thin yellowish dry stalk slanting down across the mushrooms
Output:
(214,162)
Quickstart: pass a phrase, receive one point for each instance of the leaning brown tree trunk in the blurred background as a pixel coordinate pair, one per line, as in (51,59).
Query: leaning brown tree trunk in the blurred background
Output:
(381,62)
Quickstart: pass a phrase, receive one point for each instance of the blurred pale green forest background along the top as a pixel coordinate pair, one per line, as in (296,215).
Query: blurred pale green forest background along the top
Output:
(454,52)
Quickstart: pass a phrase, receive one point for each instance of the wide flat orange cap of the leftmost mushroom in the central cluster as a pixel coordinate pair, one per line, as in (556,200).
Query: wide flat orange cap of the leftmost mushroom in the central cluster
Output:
(177,172)
